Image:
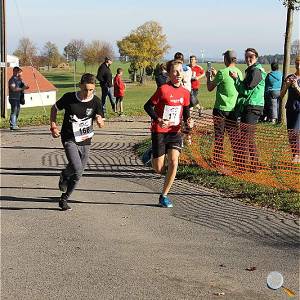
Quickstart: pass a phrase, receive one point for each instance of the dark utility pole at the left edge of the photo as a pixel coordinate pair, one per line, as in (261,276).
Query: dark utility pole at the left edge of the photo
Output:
(3,62)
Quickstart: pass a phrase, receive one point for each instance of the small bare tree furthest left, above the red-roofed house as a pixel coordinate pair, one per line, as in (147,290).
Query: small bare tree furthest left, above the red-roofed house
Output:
(26,52)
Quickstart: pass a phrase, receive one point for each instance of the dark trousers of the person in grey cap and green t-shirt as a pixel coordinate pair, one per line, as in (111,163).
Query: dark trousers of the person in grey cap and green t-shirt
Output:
(224,121)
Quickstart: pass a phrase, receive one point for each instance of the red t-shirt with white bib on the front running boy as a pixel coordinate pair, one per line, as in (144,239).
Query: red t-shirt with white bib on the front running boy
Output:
(168,102)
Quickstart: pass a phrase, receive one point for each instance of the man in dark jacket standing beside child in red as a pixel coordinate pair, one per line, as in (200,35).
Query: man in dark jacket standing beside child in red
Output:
(104,76)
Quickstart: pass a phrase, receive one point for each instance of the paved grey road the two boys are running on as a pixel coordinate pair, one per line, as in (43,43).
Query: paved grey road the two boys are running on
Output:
(116,243)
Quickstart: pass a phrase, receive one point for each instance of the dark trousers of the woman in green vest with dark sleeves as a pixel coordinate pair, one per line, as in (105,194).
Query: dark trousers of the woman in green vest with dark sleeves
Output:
(248,150)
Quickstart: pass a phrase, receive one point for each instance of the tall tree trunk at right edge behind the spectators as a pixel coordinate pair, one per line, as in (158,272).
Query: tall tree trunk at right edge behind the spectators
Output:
(291,6)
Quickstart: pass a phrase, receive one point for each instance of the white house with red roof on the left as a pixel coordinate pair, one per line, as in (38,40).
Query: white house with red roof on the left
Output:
(41,92)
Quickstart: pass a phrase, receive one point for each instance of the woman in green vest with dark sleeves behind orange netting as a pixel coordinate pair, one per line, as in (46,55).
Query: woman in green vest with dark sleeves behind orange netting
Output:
(250,106)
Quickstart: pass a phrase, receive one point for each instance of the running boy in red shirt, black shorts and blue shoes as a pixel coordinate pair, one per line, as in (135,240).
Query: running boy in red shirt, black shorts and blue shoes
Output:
(167,107)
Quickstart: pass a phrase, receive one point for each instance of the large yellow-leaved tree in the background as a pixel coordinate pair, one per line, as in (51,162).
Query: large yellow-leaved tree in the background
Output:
(144,46)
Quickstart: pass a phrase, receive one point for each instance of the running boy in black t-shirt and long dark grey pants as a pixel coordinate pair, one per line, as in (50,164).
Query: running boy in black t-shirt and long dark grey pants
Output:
(81,108)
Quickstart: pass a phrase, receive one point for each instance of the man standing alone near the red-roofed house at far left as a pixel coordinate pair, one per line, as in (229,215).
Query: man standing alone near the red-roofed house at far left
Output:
(16,88)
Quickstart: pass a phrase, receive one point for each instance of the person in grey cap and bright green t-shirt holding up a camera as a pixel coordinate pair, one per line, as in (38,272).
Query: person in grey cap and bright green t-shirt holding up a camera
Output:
(223,112)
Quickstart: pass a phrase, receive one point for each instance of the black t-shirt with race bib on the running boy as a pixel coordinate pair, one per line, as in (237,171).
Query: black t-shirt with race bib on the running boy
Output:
(78,118)
